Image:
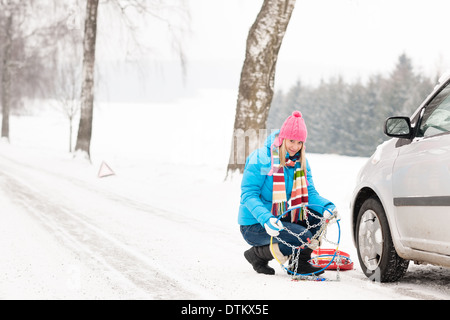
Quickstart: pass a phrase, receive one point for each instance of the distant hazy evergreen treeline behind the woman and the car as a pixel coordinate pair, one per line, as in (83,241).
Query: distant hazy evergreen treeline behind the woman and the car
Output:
(348,118)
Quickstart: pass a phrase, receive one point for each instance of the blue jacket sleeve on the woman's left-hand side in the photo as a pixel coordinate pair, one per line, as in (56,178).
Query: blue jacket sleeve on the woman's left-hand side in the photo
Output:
(253,180)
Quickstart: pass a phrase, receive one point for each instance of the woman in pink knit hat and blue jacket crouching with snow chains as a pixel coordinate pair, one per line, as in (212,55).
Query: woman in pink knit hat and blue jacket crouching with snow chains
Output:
(274,175)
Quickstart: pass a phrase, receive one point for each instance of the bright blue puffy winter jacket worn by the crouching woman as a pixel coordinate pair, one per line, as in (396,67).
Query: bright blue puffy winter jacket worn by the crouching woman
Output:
(256,187)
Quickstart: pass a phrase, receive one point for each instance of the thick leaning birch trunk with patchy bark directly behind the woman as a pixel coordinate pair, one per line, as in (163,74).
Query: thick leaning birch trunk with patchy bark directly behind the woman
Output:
(257,79)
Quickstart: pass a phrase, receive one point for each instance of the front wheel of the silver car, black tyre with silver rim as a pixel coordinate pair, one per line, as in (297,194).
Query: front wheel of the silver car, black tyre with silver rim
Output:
(376,252)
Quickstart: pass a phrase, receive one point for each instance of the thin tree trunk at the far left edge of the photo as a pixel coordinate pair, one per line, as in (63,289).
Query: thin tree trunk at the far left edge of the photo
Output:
(6,78)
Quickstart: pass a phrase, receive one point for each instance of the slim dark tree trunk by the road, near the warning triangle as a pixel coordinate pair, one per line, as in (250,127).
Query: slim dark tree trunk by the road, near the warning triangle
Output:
(87,91)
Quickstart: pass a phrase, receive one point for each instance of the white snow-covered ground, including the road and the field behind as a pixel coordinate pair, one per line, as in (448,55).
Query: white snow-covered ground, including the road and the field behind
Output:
(165,225)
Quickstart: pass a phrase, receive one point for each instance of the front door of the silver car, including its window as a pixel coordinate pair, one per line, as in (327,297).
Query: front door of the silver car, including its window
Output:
(421,180)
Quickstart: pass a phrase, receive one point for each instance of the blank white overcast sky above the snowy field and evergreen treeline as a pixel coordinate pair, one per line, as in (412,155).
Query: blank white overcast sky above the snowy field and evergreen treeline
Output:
(325,38)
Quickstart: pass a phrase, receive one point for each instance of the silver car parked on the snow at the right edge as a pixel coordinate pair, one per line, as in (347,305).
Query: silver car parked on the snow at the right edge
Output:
(400,209)
